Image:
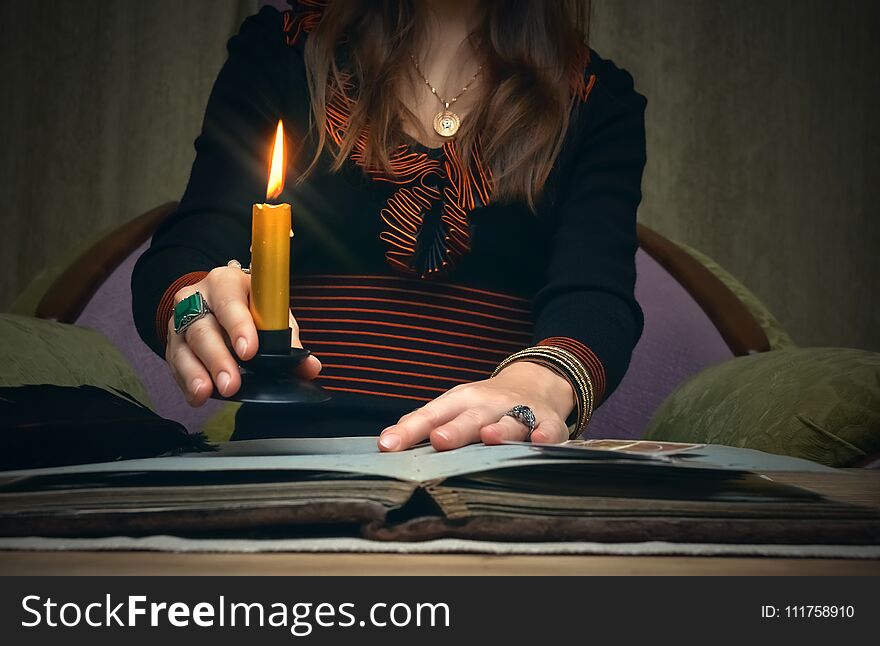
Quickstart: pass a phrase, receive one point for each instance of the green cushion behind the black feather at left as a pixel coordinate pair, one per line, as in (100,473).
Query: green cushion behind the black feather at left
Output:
(33,351)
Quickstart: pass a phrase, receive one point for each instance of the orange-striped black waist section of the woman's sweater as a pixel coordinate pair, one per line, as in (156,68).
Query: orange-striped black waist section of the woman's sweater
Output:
(403,337)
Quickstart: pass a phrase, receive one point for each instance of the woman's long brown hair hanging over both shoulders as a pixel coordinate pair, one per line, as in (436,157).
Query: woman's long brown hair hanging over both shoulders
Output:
(532,52)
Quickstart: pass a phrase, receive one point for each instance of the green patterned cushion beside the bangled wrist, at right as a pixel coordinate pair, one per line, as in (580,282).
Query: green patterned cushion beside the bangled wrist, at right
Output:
(822,404)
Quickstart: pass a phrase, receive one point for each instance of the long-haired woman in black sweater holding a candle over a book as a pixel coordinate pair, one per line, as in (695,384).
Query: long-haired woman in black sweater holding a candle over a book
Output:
(464,203)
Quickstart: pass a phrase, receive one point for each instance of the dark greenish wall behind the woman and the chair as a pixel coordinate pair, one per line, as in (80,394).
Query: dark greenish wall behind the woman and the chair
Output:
(764,149)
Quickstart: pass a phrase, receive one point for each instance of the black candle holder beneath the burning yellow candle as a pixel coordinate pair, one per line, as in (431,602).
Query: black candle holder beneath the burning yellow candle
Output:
(271,376)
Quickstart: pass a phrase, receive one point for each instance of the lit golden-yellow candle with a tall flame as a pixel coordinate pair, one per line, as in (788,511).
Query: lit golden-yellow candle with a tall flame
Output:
(270,255)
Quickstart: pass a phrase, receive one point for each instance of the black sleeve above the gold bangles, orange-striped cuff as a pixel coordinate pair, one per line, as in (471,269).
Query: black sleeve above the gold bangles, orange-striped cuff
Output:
(587,305)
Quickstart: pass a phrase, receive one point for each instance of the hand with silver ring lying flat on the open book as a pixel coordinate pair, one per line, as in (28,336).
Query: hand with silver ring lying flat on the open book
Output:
(475,412)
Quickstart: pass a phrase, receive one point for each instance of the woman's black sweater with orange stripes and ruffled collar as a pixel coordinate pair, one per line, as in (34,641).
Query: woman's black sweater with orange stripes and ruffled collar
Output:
(405,286)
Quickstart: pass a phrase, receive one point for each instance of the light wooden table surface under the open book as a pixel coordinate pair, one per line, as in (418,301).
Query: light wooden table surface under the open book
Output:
(850,485)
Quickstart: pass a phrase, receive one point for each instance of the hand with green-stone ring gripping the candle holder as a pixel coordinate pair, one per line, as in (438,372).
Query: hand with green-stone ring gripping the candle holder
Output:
(201,357)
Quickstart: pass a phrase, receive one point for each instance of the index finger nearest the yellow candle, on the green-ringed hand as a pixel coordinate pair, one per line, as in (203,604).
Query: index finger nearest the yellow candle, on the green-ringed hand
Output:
(229,289)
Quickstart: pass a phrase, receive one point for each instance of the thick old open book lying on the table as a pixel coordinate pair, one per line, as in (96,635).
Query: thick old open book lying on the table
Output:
(593,490)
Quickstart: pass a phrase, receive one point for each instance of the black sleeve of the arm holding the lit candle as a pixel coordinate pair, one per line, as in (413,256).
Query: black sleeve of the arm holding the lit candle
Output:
(229,174)
